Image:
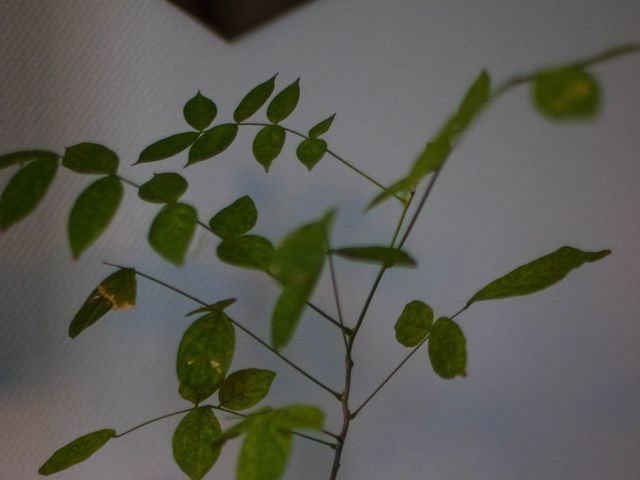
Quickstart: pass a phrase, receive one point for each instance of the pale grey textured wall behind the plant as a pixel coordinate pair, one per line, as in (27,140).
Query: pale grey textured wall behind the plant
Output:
(554,379)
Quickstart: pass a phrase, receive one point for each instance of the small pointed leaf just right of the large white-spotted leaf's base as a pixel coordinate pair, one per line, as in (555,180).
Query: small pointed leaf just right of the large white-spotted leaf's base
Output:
(245,388)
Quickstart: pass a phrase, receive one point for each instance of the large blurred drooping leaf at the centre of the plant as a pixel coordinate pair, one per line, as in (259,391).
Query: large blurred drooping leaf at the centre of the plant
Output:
(297,264)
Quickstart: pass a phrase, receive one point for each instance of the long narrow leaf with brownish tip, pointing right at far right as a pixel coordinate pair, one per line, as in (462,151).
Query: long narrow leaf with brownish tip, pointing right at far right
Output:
(537,275)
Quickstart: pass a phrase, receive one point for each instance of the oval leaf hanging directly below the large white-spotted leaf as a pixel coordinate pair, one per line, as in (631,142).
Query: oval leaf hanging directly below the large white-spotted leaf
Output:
(195,442)
